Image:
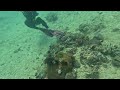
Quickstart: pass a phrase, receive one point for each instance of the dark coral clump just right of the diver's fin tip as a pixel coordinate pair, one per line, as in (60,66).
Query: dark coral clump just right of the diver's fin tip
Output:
(73,40)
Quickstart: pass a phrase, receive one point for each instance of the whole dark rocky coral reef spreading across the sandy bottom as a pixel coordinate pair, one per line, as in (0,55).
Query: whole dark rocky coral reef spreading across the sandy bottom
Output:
(76,51)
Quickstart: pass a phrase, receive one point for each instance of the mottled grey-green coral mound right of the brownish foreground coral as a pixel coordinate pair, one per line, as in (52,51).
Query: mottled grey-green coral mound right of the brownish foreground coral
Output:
(92,58)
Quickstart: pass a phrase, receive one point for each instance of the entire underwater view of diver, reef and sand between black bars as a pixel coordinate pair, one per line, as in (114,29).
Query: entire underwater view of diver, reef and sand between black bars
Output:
(59,44)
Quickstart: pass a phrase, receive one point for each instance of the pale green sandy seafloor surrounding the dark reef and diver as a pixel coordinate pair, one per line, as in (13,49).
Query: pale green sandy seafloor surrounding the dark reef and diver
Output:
(22,49)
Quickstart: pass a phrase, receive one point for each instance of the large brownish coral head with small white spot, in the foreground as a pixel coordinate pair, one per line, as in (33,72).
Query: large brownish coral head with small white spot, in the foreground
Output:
(59,64)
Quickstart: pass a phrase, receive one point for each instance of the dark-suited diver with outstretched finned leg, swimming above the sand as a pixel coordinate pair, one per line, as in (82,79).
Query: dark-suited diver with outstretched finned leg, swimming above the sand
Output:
(32,21)
